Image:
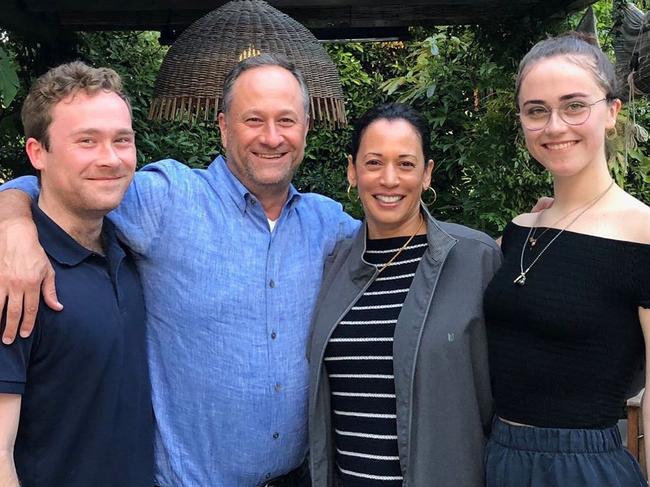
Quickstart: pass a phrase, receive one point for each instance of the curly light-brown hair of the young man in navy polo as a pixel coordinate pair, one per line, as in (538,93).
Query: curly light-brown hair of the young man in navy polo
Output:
(59,83)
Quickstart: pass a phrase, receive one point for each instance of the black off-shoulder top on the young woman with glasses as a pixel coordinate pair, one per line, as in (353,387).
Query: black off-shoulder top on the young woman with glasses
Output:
(566,348)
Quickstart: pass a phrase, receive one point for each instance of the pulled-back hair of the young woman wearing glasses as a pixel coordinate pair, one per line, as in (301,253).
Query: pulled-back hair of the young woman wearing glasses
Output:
(581,49)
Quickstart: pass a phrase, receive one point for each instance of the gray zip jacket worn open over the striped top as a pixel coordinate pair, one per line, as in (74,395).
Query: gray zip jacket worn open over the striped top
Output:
(442,384)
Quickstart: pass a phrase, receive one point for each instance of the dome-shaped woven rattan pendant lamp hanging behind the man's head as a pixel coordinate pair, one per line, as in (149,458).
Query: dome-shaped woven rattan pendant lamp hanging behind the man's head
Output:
(189,84)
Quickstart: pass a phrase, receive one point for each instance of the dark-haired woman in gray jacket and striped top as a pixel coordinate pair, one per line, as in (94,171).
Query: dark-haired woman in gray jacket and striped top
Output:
(400,391)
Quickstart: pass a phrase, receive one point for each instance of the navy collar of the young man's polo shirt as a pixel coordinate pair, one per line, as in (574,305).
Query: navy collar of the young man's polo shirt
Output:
(62,247)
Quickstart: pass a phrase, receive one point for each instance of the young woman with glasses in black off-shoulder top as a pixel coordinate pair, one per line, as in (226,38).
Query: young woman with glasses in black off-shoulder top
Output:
(567,314)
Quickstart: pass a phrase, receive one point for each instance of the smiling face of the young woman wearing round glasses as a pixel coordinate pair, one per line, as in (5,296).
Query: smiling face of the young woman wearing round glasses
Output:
(565,149)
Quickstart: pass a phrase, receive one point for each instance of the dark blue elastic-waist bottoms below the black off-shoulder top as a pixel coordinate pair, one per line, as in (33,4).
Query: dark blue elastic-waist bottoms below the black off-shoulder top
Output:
(521,456)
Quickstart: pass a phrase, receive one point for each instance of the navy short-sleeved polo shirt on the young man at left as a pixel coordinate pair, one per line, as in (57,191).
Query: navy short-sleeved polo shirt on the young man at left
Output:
(86,416)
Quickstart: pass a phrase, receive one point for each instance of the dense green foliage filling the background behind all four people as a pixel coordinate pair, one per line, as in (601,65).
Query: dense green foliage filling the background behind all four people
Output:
(460,77)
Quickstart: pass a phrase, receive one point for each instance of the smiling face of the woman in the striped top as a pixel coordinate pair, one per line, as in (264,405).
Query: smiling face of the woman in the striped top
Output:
(390,173)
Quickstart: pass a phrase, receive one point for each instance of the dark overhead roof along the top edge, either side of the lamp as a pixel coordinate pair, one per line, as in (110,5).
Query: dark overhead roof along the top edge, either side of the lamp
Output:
(334,17)
